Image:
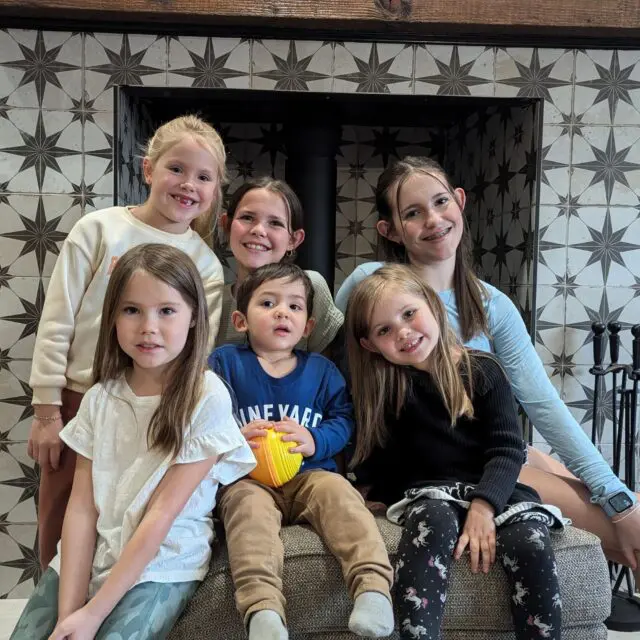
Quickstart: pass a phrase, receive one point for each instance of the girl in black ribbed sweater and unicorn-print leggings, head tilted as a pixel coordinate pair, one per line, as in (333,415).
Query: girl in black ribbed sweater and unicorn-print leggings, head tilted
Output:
(439,437)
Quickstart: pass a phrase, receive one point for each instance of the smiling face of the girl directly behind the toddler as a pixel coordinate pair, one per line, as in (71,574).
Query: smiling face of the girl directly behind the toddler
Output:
(260,232)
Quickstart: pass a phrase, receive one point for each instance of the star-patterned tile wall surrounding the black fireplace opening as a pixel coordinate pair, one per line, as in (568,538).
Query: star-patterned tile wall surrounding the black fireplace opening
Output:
(56,140)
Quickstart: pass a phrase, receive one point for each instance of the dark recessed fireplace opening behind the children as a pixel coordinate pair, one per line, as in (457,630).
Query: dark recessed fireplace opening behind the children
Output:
(331,148)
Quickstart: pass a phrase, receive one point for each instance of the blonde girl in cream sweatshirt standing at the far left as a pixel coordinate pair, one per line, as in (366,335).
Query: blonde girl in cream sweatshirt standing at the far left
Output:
(184,165)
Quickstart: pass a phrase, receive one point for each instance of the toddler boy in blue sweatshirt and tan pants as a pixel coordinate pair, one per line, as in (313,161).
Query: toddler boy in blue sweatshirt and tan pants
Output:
(304,396)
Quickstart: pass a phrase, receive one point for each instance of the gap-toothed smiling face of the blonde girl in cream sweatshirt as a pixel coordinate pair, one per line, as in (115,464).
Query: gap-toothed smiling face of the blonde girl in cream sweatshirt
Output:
(183,184)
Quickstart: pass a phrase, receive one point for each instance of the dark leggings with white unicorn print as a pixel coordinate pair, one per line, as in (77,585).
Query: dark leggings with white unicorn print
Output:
(425,554)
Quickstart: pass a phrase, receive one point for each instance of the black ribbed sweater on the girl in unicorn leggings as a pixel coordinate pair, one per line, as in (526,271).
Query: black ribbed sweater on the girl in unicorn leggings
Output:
(423,448)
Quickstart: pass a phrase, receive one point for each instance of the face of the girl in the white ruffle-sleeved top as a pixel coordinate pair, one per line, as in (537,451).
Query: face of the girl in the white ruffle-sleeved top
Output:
(152,324)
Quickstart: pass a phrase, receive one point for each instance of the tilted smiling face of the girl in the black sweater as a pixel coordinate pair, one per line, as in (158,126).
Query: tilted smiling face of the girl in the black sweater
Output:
(402,329)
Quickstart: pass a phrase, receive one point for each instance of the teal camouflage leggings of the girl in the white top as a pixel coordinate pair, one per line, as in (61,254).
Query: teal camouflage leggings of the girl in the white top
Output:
(147,611)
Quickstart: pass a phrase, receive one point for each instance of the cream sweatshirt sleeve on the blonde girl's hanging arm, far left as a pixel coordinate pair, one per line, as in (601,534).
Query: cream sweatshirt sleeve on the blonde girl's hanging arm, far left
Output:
(70,279)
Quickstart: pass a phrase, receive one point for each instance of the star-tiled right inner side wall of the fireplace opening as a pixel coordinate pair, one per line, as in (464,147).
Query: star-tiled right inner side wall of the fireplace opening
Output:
(493,154)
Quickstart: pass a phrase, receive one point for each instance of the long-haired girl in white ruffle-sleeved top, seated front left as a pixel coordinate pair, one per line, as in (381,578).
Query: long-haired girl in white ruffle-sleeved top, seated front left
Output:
(154,437)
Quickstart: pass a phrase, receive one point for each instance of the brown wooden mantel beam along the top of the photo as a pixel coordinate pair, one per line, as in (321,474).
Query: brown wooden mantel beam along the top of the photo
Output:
(596,18)
